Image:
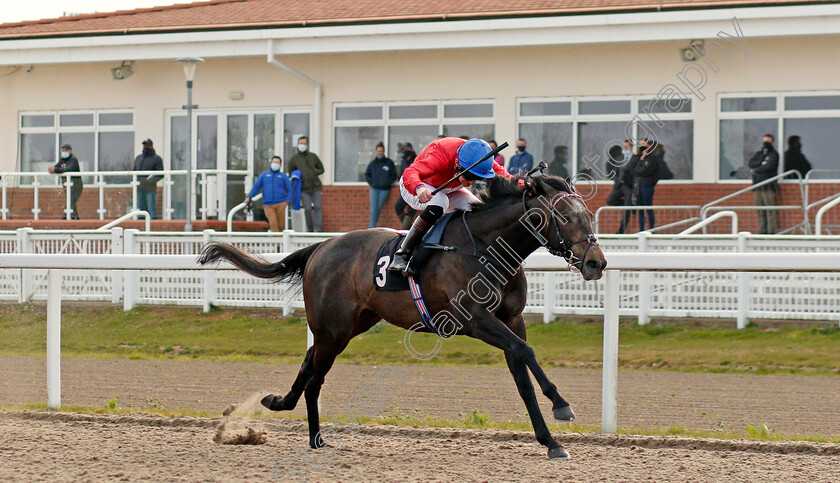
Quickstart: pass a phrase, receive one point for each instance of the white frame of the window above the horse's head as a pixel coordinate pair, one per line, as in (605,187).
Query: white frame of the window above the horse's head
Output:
(575,118)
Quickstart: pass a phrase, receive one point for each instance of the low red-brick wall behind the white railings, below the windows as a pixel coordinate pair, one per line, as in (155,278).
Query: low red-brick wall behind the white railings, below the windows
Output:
(347,208)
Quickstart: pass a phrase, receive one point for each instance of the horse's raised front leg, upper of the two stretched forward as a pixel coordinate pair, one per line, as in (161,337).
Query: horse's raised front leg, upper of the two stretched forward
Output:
(493,331)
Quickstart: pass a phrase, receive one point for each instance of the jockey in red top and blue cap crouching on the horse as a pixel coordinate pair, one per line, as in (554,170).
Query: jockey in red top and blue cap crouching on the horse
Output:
(437,163)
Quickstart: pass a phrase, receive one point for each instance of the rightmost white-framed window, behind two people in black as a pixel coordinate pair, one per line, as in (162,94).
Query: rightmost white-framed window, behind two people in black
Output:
(814,117)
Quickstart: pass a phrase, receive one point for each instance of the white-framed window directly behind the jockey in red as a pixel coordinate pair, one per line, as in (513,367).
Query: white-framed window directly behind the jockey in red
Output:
(360,127)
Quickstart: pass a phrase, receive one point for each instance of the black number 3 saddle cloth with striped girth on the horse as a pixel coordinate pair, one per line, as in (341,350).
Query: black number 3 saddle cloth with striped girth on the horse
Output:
(384,279)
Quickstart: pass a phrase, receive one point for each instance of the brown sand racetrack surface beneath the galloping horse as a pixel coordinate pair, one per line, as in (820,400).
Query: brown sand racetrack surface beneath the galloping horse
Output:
(45,446)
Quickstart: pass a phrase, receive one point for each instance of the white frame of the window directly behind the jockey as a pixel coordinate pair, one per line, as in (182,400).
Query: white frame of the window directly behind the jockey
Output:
(385,122)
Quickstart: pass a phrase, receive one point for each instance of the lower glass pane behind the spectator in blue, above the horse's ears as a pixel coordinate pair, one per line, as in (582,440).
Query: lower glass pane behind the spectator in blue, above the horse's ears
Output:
(545,141)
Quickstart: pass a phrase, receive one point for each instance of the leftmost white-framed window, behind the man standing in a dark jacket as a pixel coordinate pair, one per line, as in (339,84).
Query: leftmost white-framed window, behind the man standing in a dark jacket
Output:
(101,140)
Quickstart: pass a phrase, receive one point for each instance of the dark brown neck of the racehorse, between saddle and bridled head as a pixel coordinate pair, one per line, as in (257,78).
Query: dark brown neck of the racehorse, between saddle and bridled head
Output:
(502,232)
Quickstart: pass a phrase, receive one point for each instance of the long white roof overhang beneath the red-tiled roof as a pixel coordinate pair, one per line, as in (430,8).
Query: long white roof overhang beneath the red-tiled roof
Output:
(757,22)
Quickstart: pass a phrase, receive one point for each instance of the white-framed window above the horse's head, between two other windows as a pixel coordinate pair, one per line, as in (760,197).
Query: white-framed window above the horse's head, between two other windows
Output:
(588,127)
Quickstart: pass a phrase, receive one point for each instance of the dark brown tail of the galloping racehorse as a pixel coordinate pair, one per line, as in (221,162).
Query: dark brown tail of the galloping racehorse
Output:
(290,269)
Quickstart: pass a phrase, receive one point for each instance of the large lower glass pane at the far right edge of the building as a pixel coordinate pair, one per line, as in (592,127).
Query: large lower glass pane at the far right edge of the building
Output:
(820,143)
